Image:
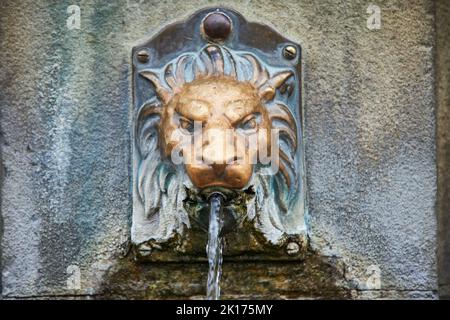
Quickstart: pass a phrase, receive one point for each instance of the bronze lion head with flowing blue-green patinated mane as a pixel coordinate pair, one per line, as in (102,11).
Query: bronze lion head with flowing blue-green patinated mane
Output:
(219,120)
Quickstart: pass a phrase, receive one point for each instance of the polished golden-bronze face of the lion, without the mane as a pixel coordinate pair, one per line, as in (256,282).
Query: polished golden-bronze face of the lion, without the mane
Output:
(228,113)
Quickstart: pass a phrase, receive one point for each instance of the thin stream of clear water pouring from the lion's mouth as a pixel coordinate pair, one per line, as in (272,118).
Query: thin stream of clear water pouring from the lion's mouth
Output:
(214,247)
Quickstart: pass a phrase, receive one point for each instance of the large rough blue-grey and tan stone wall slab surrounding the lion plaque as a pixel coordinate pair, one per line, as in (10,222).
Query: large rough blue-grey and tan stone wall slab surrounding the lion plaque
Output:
(370,144)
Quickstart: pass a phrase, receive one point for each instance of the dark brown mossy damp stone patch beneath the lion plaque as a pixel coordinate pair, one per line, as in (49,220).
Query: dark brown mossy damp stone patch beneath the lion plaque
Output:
(313,277)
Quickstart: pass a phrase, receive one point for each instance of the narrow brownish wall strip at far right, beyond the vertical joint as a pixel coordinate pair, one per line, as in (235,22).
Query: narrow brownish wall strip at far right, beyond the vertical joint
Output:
(443,95)
